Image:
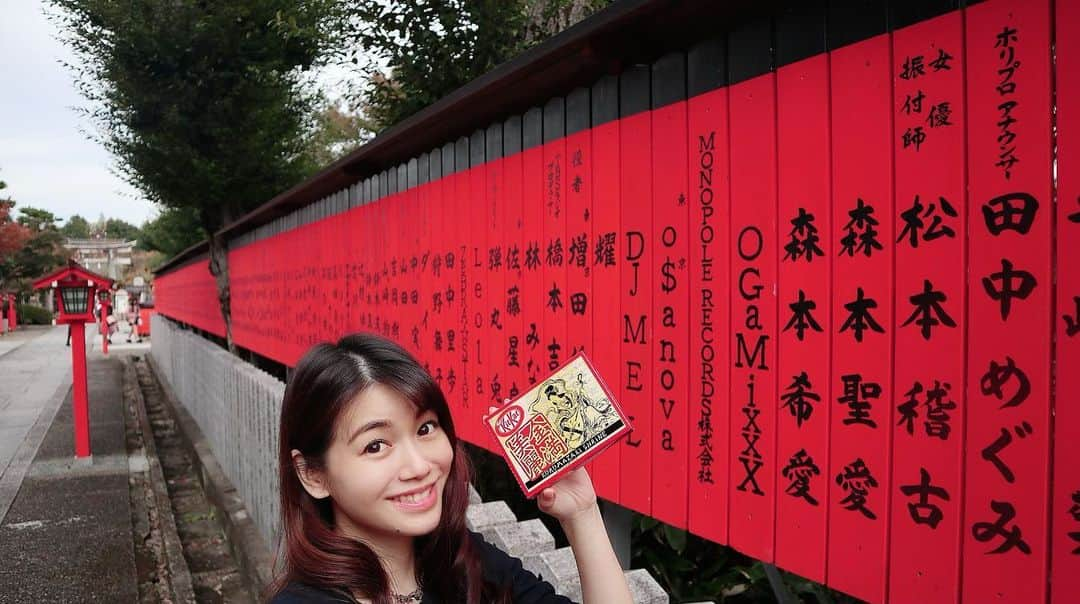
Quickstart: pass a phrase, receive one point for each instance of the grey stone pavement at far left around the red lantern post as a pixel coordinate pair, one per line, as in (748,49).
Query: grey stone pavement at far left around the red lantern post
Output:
(65,526)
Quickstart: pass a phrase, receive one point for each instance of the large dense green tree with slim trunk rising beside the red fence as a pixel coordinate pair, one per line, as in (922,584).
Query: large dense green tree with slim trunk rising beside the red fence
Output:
(205,105)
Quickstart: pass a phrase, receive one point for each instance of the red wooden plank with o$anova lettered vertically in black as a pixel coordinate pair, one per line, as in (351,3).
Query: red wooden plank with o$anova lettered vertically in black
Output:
(671,346)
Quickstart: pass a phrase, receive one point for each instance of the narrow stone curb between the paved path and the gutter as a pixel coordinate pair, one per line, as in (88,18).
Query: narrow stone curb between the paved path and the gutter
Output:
(181,586)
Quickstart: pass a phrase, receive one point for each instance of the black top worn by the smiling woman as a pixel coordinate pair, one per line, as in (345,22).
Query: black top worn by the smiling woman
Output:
(499,568)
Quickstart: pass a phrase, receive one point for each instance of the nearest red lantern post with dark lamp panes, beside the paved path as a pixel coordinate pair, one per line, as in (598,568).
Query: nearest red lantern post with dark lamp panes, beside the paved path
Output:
(75,289)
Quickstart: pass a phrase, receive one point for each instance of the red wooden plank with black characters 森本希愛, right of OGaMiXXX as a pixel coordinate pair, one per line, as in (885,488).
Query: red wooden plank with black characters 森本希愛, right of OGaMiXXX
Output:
(806,252)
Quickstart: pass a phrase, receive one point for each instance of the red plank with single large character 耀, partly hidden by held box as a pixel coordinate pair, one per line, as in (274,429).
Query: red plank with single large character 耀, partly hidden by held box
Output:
(604,260)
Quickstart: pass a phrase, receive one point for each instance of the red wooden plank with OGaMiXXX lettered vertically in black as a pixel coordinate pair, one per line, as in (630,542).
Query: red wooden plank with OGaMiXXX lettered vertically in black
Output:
(753,113)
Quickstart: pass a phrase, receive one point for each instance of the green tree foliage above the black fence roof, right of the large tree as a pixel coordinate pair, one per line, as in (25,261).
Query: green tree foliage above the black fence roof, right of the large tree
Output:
(414,53)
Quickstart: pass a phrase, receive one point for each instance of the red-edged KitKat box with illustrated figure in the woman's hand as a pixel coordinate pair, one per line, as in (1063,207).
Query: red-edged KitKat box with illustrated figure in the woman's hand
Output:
(558,425)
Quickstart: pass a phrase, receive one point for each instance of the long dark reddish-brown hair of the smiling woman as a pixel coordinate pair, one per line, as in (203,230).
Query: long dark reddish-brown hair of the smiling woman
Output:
(327,380)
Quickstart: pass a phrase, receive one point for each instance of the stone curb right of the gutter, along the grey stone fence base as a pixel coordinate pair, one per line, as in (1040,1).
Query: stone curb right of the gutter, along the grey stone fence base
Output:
(249,547)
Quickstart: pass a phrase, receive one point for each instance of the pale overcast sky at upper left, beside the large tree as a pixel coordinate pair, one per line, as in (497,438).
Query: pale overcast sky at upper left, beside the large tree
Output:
(47,156)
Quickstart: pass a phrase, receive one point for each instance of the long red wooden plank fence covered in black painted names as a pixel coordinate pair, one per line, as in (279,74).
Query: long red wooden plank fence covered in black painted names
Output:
(840,300)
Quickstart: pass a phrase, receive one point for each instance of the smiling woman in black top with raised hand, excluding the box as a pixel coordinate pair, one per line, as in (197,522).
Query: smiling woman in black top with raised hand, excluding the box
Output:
(374,489)
